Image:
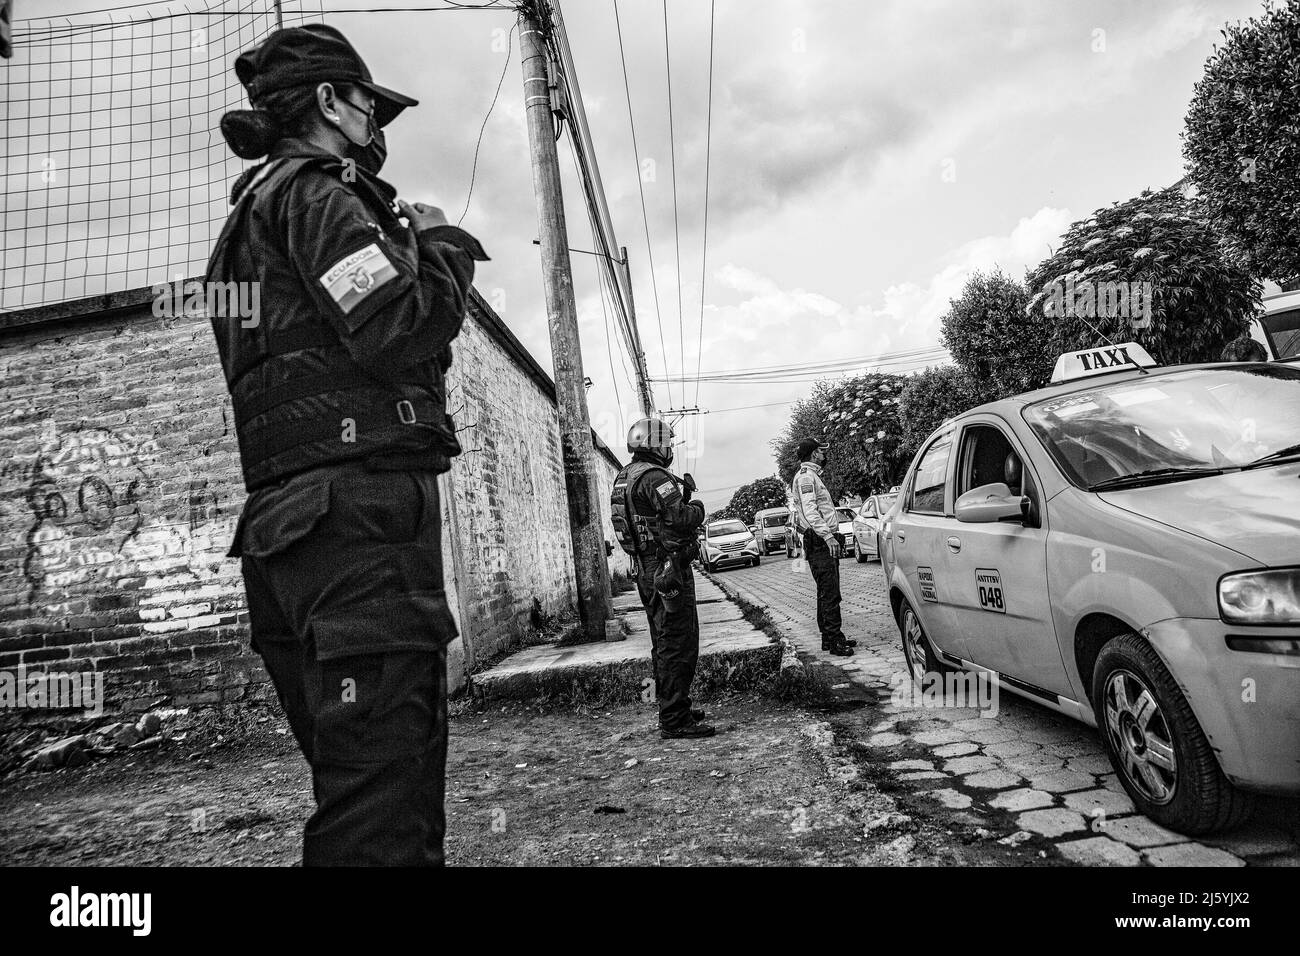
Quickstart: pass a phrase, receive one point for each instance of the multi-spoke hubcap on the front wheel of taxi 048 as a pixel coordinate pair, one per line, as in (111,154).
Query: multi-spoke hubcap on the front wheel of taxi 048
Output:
(1141,737)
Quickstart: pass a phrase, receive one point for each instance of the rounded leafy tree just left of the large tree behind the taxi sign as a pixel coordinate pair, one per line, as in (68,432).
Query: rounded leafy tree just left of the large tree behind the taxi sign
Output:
(989,332)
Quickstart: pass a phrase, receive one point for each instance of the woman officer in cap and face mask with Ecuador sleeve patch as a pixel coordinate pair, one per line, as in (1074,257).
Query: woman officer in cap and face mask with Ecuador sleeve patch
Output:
(340,409)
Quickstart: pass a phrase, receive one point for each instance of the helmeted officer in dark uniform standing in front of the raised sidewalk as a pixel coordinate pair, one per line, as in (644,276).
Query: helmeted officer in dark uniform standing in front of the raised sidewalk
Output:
(657,524)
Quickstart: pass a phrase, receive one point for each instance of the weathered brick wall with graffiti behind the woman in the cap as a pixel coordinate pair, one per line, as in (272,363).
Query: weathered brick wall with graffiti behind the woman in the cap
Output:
(120,490)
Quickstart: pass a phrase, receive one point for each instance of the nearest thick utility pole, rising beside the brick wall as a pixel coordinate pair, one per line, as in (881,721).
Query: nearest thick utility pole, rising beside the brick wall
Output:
(584,498)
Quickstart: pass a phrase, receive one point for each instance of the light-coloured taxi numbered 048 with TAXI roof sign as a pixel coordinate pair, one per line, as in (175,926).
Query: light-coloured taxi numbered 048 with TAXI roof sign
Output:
(1124,547)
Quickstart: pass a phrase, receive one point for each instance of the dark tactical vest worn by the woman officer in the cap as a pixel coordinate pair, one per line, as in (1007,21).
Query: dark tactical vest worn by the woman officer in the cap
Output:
(300,399)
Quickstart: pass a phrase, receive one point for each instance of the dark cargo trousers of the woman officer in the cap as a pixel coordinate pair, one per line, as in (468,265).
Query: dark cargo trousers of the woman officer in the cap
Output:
(344,574)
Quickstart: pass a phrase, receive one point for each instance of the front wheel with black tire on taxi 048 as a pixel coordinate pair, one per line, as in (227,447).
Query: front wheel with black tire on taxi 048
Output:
(1184,788)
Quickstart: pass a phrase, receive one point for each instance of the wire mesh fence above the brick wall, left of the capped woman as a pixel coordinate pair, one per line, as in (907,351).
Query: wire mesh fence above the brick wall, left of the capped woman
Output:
(115,171)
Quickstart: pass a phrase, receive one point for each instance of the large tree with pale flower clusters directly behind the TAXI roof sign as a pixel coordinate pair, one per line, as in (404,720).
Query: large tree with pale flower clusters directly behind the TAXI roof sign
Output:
(1151,271)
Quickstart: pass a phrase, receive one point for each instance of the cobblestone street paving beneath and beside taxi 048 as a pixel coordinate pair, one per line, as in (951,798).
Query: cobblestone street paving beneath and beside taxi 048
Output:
(1019,764)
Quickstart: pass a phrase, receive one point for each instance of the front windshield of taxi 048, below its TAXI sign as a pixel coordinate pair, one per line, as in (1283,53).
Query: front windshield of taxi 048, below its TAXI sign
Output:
(1172,427)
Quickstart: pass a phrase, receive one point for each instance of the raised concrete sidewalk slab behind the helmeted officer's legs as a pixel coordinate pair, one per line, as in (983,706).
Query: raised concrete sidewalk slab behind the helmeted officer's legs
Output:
(730,648)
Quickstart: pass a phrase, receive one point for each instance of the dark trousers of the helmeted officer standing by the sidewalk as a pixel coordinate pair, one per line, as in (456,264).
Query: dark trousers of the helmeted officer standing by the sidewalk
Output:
(674,644)
